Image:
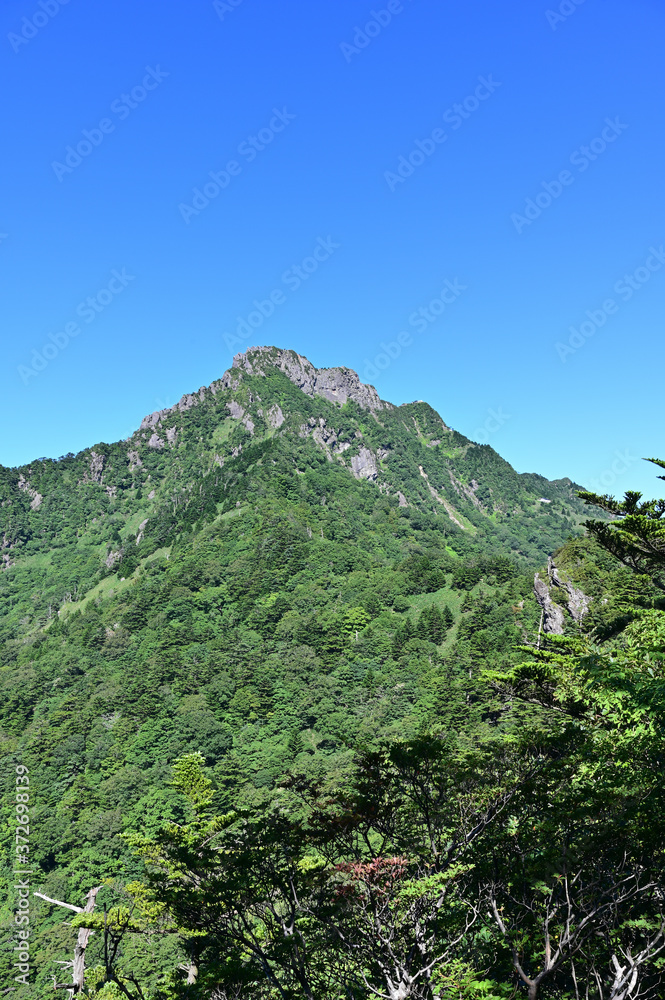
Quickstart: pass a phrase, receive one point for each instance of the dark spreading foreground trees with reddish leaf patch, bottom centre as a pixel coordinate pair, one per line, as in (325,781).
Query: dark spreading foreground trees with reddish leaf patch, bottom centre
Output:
(346,891)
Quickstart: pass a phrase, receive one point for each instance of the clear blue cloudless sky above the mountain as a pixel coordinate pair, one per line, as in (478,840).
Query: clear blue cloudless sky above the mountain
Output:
(180,90)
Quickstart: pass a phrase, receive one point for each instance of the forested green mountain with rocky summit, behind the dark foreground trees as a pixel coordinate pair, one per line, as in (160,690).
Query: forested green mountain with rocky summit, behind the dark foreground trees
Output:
(277,568)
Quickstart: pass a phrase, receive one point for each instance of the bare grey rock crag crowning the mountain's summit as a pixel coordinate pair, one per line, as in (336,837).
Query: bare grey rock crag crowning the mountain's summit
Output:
(335,384)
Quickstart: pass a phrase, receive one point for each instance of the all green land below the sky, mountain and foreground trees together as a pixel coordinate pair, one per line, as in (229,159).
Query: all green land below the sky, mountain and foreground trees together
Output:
(306,696)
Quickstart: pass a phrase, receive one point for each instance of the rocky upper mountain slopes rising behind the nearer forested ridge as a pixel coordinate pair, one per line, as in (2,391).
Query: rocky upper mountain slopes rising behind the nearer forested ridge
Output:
(66,524)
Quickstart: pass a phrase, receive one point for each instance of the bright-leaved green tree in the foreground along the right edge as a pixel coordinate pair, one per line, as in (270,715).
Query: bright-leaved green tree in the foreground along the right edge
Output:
(577,886)
